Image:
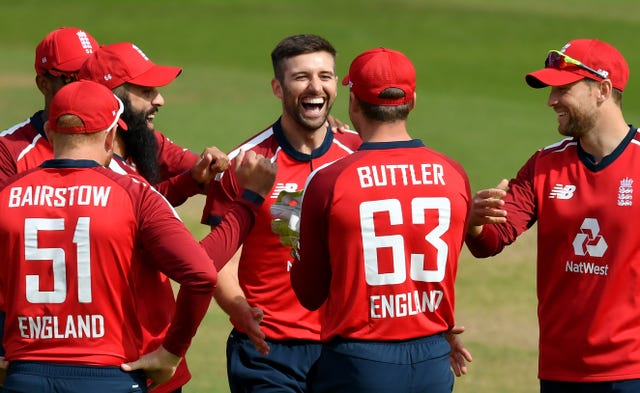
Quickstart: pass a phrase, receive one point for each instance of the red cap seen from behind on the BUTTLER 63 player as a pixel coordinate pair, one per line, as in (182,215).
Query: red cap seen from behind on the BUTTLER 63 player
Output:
(378,69)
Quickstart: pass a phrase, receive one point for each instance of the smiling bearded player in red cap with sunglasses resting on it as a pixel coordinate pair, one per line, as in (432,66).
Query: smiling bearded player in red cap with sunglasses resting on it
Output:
(580,191)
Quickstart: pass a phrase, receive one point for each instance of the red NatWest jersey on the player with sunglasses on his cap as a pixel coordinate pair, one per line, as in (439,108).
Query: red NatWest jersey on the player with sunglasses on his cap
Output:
(584,268)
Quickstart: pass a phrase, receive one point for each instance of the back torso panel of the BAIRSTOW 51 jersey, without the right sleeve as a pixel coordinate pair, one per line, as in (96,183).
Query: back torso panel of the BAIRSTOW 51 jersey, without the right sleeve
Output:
(69,236)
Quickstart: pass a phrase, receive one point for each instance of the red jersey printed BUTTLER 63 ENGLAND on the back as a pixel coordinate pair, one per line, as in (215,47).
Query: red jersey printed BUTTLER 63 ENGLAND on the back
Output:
(381,233)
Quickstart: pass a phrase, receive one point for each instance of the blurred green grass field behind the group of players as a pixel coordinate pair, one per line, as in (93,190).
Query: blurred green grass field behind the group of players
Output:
(471,57)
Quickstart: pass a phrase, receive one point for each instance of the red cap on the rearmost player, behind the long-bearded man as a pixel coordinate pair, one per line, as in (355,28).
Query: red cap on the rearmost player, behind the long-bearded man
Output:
(63,51)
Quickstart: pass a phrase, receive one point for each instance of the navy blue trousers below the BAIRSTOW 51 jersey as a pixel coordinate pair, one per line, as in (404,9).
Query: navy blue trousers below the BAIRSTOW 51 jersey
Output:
(41,377)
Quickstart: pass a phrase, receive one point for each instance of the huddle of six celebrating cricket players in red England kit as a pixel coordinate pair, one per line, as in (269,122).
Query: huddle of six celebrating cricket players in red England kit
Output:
(333,251)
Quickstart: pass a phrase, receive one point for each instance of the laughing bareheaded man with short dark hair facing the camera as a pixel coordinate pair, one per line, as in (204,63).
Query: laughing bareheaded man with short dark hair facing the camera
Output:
(255,286)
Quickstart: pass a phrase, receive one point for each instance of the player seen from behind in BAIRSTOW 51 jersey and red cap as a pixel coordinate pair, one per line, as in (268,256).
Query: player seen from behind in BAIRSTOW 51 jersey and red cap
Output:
(70,235)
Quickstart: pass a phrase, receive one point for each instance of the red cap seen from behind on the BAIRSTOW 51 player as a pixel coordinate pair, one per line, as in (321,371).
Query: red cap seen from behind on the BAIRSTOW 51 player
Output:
(97,107)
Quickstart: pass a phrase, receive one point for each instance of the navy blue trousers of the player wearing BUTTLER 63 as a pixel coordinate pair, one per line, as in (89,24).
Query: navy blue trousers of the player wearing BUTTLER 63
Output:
(412,366)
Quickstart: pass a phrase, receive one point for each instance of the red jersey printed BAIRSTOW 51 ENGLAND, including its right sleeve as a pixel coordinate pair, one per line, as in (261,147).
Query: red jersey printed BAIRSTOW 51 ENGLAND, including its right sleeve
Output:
(69,295)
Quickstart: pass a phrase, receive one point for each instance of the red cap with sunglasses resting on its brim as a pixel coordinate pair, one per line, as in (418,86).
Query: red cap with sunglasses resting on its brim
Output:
(593,53)
